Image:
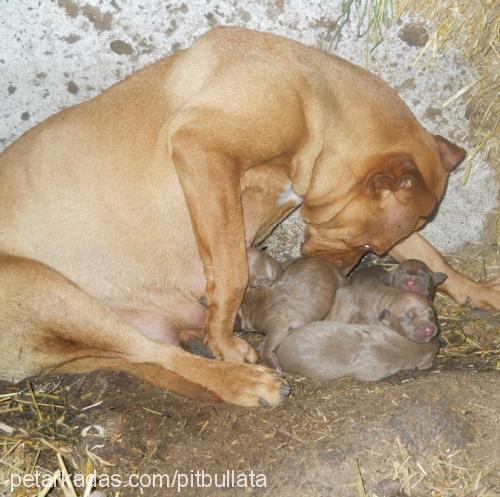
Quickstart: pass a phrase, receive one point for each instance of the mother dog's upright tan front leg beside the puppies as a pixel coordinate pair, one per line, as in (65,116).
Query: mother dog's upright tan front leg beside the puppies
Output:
(210,181)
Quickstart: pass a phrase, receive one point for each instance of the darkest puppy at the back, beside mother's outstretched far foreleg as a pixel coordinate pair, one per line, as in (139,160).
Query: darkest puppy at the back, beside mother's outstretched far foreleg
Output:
(411,275)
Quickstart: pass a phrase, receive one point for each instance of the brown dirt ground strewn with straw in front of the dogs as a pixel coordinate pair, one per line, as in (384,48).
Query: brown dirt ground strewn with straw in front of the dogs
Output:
(423,434)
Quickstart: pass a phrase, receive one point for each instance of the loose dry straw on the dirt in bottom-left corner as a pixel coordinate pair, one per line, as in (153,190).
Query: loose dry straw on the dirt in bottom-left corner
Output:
(44,435)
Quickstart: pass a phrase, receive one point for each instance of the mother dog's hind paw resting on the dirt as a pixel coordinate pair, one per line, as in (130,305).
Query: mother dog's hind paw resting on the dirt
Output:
(253,386)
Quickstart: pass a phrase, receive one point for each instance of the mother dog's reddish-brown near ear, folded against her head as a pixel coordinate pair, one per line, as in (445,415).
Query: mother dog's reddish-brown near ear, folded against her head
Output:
(399,175)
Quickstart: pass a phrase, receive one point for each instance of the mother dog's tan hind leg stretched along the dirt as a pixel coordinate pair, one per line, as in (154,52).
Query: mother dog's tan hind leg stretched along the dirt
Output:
(48,324)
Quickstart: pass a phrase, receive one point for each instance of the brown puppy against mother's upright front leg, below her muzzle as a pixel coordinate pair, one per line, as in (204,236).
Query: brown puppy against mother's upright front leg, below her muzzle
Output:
(302,293)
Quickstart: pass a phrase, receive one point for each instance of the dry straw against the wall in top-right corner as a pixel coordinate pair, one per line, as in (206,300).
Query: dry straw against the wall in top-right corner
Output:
(473,27)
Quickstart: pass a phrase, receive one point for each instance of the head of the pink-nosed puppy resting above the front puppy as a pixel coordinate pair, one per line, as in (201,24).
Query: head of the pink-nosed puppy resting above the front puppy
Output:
(411,316)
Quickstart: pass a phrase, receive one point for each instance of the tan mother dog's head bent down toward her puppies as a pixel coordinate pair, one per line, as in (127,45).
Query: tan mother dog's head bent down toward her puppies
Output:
(374,203)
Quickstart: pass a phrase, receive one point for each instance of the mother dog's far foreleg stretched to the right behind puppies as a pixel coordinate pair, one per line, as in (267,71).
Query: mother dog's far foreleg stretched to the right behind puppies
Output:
(457,286)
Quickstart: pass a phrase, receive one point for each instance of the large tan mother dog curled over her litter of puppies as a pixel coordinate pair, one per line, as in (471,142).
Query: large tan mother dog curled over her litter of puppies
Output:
(118,214)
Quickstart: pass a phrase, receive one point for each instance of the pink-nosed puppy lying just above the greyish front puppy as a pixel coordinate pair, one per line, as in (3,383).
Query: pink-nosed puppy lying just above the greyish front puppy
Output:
(409,314)
